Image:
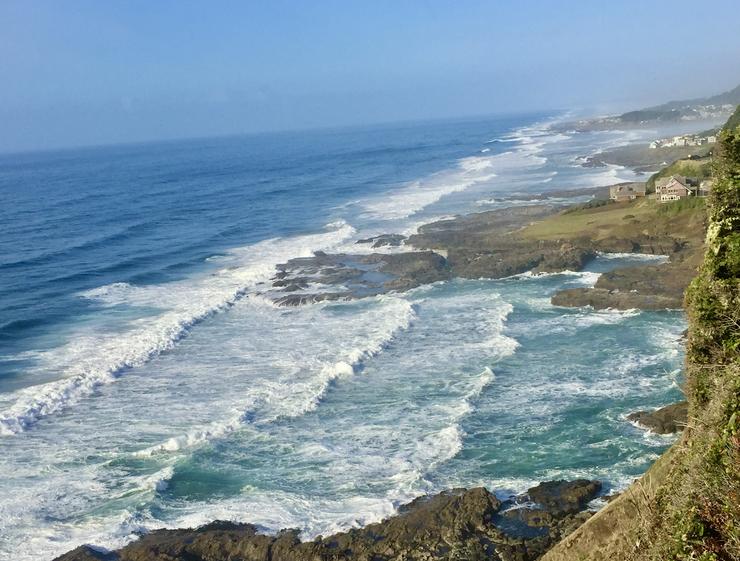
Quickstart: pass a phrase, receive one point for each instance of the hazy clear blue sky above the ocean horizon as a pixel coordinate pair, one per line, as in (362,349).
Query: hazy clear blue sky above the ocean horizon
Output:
(95,72)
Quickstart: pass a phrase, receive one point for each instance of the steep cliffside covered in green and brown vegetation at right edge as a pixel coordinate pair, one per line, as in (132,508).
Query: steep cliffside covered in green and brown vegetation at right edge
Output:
(687,506)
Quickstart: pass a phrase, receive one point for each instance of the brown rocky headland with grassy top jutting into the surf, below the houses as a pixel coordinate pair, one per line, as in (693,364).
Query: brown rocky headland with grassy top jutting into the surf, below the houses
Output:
(506,242)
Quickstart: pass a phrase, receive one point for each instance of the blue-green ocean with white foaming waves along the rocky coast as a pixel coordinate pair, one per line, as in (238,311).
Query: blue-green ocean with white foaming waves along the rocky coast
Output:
(146,382)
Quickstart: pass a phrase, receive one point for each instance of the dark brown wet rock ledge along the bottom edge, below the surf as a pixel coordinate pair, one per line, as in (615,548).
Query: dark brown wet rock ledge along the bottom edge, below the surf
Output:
(457,524)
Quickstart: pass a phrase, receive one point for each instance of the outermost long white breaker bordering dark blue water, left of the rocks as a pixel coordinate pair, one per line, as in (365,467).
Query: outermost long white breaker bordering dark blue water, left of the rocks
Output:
(90,360)
